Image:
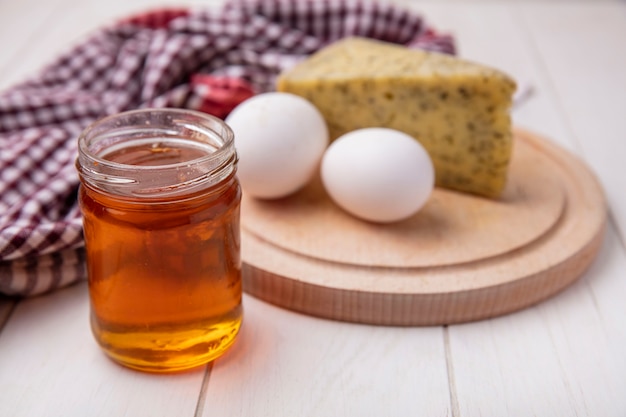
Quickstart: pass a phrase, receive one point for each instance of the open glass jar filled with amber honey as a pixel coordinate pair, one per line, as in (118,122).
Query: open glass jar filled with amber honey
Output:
(160,204)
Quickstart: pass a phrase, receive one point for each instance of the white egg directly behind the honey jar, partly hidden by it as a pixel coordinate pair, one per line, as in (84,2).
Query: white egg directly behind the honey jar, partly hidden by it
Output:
(280,139)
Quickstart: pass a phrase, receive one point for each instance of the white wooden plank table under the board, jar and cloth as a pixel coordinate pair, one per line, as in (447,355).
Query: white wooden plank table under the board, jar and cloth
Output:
(563,357)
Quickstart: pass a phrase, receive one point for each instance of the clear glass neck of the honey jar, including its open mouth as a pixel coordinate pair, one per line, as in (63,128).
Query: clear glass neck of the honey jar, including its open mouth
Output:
(156,153)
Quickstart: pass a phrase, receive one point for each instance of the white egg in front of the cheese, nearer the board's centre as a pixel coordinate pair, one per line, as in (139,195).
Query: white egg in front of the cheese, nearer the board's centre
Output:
(378,174)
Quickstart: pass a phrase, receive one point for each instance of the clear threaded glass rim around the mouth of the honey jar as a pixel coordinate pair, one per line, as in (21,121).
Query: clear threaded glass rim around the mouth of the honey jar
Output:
(146,125)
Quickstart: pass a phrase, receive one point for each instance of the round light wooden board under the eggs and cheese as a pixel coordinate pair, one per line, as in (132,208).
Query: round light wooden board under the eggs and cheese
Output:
(460,258)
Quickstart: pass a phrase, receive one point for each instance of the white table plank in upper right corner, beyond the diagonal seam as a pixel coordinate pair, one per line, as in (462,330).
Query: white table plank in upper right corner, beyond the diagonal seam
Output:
(582,46)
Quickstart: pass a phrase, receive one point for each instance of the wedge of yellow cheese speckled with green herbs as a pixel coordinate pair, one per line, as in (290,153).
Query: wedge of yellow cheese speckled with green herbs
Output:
(457,109)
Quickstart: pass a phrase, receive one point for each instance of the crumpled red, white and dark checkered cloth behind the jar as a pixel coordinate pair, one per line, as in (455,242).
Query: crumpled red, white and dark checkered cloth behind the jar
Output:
(195,59)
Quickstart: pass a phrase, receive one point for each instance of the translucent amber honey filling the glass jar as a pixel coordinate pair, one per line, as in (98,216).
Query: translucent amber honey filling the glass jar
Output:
(164,274)
